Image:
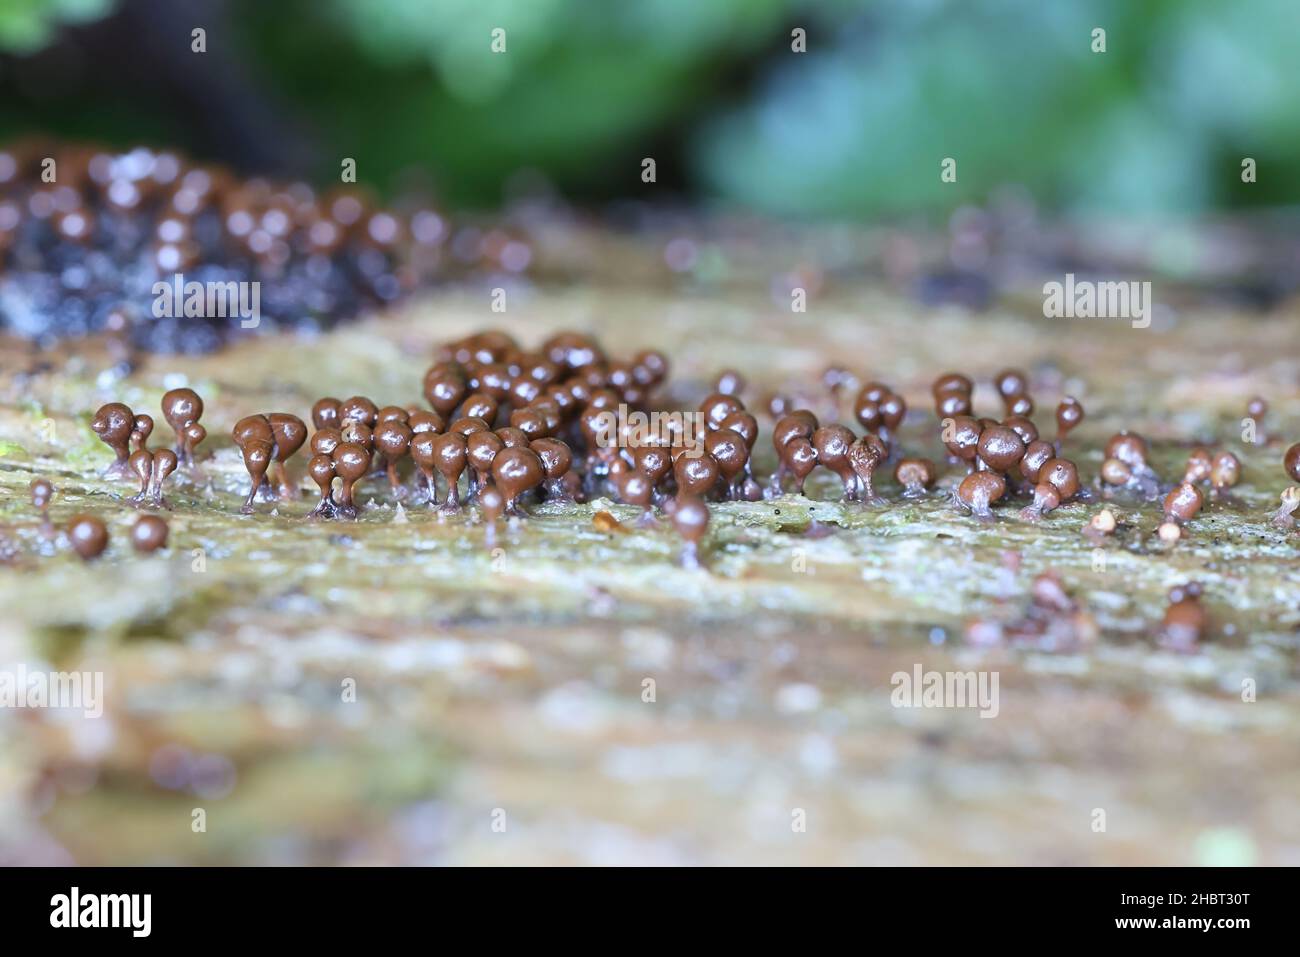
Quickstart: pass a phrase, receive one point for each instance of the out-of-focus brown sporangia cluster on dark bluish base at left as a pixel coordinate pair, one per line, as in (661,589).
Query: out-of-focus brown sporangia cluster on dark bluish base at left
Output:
(85,233)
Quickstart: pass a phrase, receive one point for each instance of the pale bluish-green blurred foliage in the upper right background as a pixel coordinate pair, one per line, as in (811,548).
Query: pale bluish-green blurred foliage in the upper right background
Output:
(1013,92)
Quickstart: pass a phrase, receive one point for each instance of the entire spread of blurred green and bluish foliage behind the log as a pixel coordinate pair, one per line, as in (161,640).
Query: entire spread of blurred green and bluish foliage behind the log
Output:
(856,127)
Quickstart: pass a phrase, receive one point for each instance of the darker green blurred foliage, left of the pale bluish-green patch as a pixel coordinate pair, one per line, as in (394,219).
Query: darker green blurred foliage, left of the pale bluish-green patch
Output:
(582,88)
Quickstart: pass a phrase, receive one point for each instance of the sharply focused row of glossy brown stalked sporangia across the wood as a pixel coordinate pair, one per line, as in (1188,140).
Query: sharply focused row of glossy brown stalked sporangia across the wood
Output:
(522,426)
